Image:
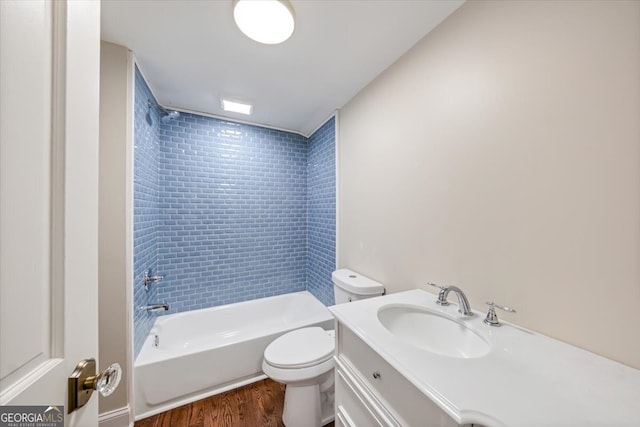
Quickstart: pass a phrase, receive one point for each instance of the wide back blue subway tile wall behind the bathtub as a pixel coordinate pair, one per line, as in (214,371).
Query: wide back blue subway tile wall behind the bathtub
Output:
(233,209)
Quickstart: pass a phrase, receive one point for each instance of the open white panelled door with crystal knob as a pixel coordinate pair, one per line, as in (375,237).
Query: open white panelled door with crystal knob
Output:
(49,99)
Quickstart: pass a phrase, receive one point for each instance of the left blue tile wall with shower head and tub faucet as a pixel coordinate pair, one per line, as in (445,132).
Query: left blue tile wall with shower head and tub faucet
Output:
(146,220)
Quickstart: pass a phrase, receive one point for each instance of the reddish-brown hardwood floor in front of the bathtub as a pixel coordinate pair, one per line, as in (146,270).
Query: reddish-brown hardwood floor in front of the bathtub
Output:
(254,405)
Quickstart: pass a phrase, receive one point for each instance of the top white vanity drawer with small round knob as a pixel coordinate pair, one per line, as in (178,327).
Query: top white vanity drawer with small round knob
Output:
(403,400)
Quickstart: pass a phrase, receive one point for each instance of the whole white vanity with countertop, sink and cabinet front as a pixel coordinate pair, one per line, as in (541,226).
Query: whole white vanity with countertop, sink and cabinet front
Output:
(404,376)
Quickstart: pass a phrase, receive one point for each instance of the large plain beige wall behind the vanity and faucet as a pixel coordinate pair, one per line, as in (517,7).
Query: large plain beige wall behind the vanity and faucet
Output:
(502,154)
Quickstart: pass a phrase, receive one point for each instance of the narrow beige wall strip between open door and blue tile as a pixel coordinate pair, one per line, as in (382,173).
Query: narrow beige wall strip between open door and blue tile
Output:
(115,232)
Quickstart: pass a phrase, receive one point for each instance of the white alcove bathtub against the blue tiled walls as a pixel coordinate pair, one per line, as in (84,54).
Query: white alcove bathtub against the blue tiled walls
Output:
(204,352)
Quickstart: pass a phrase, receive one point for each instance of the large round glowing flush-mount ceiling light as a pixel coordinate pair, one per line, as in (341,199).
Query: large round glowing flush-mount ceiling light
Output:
(265,21)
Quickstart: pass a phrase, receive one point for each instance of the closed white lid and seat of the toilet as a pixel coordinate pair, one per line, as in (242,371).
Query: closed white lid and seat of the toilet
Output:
(301,348)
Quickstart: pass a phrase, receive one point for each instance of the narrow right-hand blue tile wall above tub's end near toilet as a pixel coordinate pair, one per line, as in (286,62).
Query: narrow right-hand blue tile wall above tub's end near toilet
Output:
(321,204)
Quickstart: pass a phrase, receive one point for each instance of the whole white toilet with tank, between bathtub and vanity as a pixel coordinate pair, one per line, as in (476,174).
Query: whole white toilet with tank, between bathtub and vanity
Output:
(303,359)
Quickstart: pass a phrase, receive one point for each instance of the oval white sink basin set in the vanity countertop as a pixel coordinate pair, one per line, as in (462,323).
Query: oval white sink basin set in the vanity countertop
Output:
(431,331)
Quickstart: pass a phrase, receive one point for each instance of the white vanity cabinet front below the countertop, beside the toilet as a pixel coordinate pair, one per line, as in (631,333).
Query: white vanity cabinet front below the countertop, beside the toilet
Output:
(369,392)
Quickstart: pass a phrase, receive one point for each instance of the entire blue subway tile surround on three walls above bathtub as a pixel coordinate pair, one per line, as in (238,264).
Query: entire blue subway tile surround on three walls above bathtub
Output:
(236,212)
